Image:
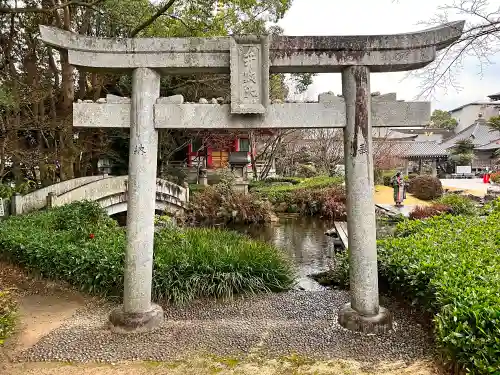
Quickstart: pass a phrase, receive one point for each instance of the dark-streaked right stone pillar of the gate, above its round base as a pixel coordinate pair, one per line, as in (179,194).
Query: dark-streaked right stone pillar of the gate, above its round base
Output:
(361,221)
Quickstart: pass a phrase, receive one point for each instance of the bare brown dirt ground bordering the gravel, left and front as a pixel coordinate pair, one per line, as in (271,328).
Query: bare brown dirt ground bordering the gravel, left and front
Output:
(45,306)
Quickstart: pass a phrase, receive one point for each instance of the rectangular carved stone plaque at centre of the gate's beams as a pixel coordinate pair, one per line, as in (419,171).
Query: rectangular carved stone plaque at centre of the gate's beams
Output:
(249,74)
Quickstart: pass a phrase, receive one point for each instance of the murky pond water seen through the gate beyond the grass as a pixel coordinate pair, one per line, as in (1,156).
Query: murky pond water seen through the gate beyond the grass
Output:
(304,239)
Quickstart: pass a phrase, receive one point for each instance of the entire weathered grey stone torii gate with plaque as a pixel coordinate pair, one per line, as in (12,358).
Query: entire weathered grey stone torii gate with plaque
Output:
(249,59)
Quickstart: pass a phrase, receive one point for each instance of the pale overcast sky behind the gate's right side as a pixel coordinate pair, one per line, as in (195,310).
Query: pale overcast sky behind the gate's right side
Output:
(335,17)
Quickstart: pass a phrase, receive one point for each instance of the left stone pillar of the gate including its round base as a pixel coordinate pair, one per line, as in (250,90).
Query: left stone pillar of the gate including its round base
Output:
(137,313)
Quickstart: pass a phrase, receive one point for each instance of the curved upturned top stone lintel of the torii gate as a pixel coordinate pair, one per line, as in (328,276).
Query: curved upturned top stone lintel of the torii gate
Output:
(287,54)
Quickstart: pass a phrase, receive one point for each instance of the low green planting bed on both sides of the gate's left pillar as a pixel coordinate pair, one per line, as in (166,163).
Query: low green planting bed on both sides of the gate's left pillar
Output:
(190,263)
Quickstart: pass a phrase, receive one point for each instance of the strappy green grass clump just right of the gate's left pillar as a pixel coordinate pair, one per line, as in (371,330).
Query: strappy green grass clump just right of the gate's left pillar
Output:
(200,262)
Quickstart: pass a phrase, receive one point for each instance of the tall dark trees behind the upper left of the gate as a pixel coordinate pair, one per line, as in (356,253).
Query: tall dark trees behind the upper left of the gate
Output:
(38,85)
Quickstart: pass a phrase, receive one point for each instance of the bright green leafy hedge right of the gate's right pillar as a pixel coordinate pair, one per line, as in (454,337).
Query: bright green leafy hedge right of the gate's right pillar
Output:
(450,265)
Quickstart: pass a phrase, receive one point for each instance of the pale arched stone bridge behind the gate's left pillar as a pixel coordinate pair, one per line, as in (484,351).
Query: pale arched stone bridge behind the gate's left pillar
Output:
(110,192)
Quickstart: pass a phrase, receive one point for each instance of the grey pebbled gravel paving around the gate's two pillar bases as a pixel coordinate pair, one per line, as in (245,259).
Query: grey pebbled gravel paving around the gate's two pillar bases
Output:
(257,327)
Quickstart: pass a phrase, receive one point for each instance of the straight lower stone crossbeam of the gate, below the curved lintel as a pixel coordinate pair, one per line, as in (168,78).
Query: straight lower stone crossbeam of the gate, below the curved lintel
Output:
(279,115)
